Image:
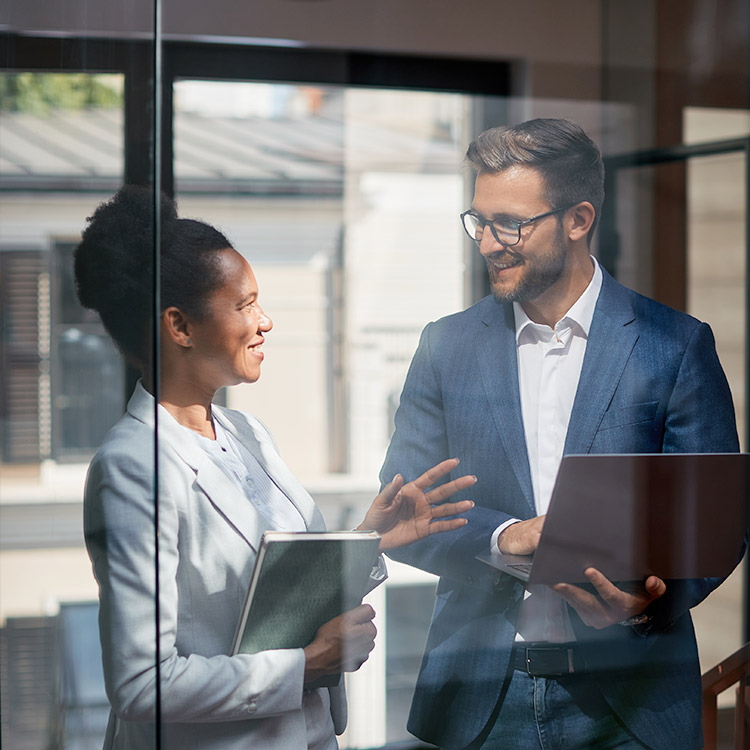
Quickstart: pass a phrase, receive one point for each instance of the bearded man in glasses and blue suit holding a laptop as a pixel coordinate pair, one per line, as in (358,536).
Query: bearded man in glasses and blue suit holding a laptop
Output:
(559,359)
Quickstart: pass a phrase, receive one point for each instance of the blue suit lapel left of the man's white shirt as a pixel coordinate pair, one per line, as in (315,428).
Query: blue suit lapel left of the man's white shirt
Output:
(498,365)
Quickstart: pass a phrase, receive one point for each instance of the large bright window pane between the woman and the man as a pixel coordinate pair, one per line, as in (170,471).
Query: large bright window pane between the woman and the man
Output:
(345,201)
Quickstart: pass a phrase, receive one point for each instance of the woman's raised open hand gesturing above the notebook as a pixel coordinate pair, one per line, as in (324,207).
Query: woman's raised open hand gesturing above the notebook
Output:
(404,513)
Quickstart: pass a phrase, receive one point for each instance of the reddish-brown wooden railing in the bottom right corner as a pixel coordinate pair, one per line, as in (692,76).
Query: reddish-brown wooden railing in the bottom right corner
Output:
(734,669)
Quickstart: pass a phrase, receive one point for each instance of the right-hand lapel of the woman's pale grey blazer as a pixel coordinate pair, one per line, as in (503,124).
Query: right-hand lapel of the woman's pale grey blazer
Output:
(261,446)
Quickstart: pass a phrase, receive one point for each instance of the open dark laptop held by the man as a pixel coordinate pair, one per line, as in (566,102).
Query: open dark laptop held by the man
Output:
(673,515)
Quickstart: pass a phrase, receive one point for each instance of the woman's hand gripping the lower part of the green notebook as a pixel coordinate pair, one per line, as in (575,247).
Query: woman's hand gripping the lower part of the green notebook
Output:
(342,644)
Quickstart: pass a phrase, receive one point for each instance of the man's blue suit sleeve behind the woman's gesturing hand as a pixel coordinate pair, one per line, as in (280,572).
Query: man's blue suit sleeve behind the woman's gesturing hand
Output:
(419,442)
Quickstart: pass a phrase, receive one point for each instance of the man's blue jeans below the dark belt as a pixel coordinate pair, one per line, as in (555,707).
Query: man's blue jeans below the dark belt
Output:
(560,713)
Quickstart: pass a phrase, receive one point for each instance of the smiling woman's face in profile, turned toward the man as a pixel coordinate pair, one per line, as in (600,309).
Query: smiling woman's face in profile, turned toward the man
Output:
(227,343)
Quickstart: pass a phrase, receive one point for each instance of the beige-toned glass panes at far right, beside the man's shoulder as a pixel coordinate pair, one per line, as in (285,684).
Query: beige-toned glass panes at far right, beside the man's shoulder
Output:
(716,230)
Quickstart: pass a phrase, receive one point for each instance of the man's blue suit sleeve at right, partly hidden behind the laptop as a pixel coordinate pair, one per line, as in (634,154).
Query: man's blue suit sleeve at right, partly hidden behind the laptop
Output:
(699,419)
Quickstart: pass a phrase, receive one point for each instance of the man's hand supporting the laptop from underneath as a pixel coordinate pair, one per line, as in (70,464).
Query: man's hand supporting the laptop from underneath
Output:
(612,605)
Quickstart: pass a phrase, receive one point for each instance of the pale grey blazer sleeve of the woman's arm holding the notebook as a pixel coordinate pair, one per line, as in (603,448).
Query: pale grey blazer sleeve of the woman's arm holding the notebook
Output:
(120,536)
